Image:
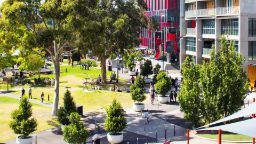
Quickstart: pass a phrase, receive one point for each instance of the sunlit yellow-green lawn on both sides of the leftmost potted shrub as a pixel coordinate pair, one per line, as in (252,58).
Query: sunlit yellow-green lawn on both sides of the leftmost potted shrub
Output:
(7,105)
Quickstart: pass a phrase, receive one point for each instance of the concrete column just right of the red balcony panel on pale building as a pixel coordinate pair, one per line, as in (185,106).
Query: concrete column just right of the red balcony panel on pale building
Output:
(199,42)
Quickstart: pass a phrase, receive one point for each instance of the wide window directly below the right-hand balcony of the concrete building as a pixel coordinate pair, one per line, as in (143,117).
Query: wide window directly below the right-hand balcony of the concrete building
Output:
(229,26)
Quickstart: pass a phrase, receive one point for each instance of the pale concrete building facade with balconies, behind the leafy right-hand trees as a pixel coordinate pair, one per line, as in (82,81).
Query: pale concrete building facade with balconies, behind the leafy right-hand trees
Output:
(203,22)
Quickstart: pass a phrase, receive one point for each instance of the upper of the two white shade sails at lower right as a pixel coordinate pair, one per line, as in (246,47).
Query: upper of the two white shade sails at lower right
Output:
(251,109)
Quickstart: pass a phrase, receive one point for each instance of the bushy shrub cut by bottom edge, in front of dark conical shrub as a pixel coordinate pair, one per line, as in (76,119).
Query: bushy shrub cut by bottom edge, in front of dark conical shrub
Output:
(75,132)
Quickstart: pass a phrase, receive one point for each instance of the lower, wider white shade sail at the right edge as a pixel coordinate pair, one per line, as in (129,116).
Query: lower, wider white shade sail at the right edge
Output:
(247,127)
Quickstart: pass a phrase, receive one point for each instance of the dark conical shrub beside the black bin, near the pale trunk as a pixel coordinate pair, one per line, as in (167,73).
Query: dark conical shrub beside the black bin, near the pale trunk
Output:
(67,109)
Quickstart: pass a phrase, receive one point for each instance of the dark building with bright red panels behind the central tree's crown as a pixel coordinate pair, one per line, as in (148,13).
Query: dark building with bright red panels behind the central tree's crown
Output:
(166,13)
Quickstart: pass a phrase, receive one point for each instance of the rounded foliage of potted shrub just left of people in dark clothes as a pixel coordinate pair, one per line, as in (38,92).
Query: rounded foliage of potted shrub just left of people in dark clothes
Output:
(163,83)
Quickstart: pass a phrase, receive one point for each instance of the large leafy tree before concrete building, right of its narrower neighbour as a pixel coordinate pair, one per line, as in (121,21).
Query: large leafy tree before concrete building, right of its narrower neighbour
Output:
(224,82)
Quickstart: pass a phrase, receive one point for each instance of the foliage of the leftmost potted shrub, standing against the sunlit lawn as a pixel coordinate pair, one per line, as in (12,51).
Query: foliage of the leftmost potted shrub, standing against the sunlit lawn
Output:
(23,123)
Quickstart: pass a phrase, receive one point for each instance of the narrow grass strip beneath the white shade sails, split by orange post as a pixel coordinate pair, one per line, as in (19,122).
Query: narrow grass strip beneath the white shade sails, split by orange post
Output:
(229,137)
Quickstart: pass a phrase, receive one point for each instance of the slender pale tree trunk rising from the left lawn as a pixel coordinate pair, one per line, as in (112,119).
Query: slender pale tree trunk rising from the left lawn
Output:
(57,80)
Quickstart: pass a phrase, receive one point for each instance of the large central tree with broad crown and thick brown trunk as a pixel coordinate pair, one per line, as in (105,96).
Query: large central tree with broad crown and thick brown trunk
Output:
(115,27)
